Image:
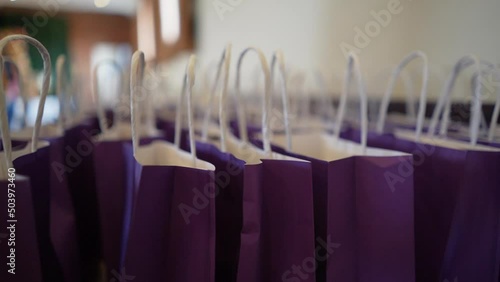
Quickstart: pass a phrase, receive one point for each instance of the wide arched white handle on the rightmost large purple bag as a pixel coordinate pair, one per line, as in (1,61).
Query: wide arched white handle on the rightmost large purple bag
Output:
(445,97)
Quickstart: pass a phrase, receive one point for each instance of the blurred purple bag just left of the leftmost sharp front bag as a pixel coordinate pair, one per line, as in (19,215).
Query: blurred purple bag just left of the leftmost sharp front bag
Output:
(109,163)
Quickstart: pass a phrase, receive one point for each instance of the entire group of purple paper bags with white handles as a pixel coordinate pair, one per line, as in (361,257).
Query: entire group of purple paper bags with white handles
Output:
(131,202)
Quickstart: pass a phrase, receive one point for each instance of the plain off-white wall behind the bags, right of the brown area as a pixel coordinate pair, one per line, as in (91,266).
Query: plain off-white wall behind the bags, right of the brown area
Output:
(311,33)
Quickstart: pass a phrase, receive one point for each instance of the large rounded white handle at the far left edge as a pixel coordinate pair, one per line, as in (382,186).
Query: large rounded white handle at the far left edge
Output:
(4,123)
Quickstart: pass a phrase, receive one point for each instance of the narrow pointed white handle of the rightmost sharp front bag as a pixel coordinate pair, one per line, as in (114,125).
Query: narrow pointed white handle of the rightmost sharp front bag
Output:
(353,64)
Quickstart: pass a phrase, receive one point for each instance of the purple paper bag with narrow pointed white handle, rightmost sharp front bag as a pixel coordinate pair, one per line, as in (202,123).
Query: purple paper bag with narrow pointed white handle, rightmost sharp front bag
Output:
(371,221)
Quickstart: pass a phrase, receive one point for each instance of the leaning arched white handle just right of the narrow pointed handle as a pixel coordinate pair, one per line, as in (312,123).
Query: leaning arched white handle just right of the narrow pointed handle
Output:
(390,89)
